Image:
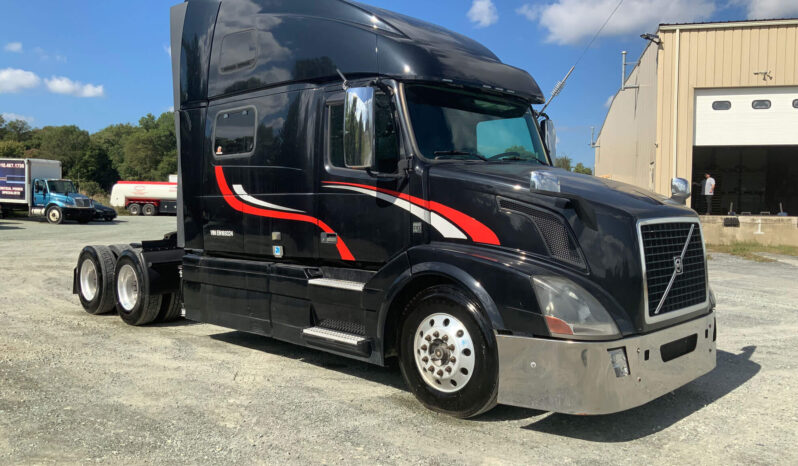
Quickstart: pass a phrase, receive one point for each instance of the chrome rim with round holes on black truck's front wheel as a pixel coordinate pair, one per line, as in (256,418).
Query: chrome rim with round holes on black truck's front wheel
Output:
(444,352)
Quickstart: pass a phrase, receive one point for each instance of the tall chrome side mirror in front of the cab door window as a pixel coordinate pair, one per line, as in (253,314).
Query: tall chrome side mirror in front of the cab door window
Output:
(359,127)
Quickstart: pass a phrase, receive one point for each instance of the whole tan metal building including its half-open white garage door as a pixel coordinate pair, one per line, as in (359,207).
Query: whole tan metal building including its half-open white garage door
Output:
(711,97)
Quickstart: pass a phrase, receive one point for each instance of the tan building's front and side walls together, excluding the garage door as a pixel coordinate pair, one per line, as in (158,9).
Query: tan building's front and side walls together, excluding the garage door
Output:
(723,55)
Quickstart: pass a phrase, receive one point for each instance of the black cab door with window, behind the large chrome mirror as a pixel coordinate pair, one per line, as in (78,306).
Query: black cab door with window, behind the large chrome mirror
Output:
(363,212)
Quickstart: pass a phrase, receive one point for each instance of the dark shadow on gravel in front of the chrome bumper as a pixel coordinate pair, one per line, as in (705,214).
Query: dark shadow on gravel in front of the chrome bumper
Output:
(732,371)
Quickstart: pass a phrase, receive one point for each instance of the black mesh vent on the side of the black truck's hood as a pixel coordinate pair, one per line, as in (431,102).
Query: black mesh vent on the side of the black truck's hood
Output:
(557,237)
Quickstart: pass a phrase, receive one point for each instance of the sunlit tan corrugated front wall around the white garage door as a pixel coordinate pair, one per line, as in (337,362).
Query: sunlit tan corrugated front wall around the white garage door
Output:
(722,56)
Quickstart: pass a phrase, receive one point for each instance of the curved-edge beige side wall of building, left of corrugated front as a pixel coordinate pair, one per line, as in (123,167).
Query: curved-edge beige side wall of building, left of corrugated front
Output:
(626,143)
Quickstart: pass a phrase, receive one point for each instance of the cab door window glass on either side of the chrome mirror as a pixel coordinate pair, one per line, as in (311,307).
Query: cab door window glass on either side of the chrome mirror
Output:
(386,143)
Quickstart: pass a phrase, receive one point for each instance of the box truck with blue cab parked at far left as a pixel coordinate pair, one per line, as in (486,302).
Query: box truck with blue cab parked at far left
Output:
(35,186)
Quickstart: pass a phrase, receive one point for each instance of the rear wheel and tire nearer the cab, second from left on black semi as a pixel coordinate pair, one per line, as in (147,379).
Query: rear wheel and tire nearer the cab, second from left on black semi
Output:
(133,301)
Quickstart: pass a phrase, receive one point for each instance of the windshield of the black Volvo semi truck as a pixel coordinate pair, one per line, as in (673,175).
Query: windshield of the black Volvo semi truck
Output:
(459,125)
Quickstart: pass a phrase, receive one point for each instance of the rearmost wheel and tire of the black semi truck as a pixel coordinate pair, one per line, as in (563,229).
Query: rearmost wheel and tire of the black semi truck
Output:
(95,279)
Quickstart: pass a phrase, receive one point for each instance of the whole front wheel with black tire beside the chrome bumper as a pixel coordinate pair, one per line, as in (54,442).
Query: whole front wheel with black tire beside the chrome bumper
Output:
(448,362)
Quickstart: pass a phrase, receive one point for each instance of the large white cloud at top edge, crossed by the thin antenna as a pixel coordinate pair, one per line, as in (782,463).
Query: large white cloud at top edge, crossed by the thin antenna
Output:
(575,21)
